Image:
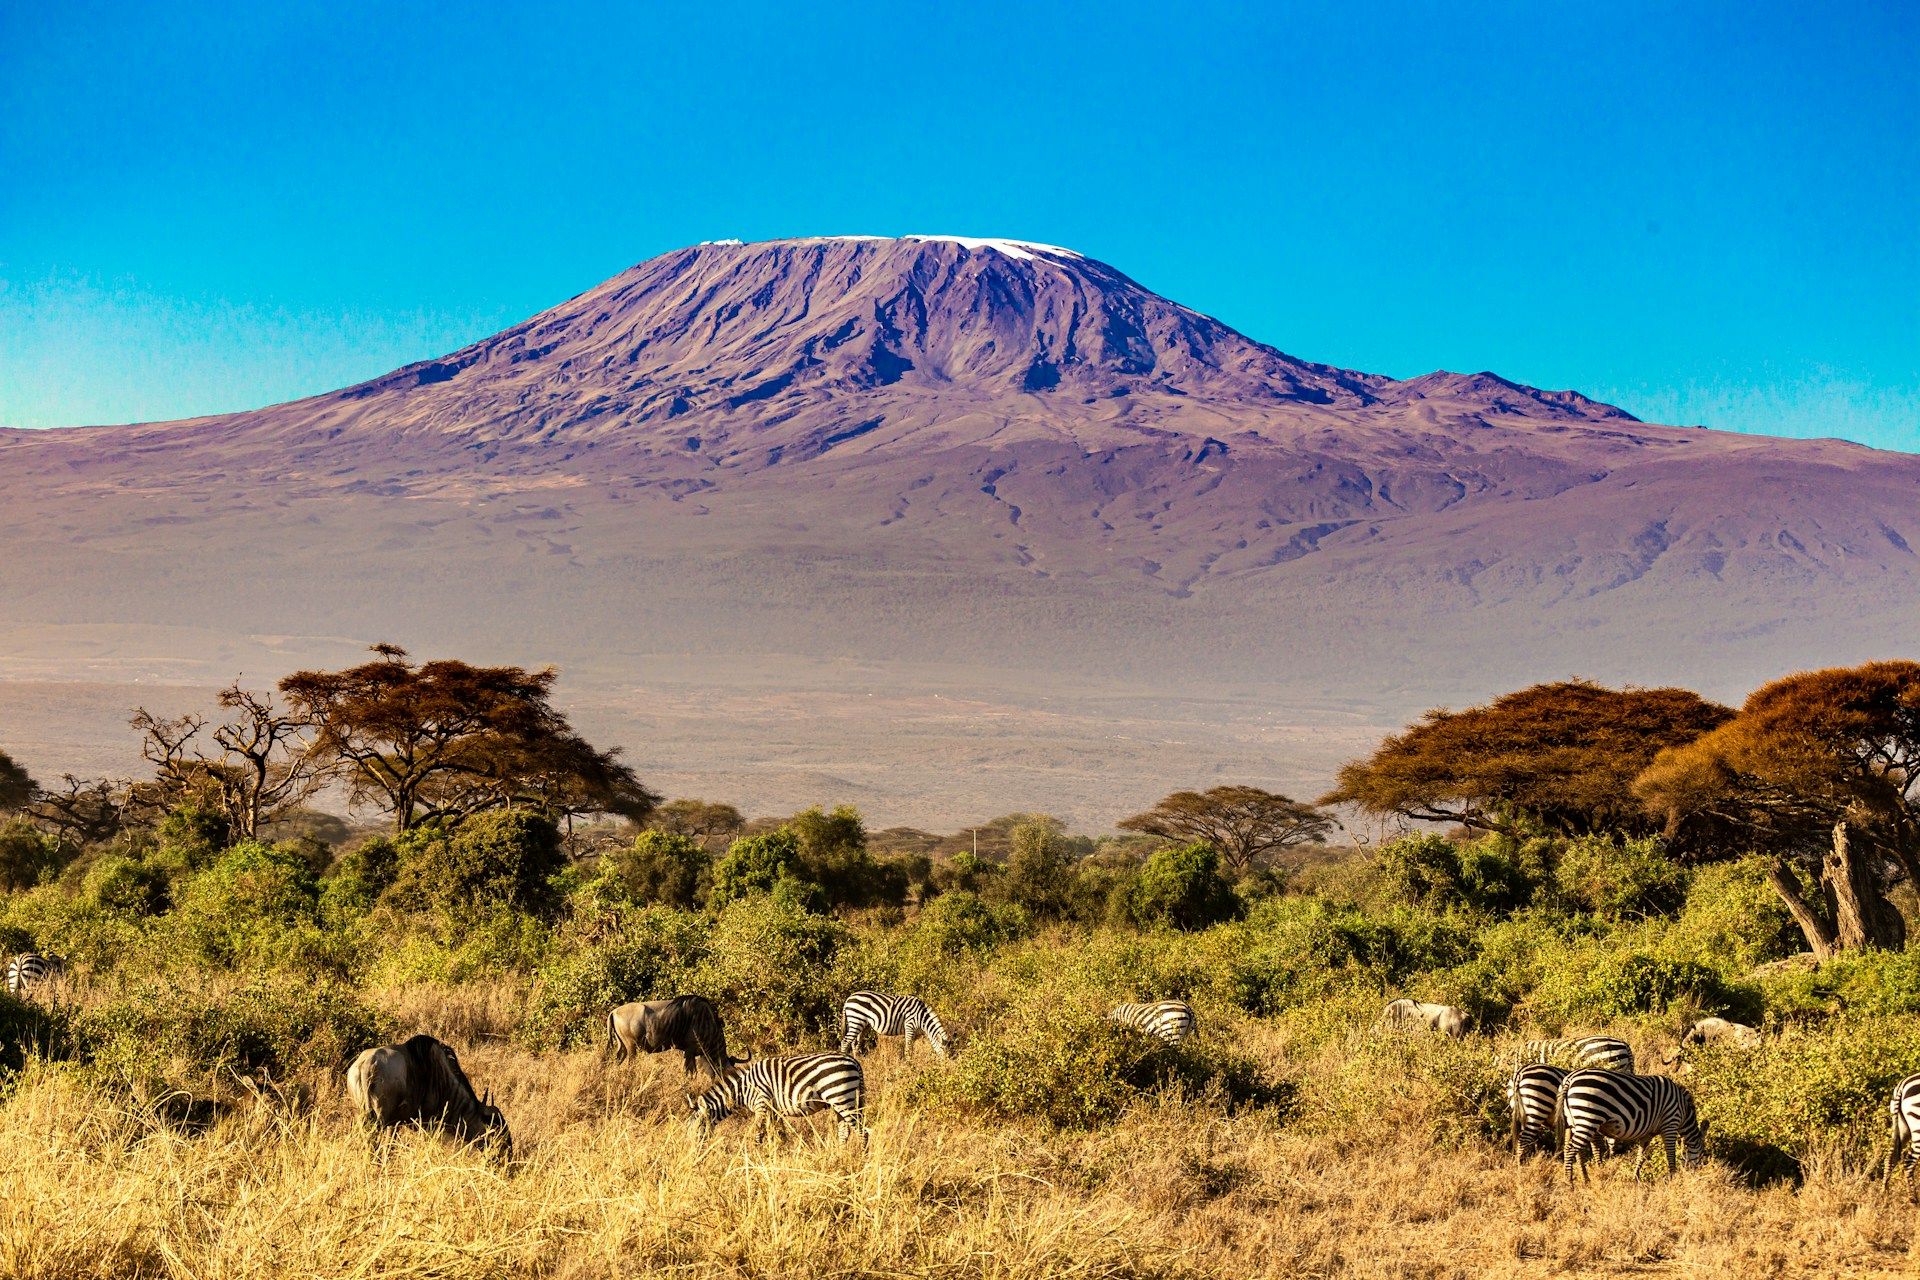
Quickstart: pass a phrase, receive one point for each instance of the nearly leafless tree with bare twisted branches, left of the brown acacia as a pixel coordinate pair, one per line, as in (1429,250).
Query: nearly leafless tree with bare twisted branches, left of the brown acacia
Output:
(264,765)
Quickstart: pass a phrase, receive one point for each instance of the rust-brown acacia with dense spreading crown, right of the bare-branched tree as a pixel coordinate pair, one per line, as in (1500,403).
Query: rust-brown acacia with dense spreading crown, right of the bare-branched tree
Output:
(448,740)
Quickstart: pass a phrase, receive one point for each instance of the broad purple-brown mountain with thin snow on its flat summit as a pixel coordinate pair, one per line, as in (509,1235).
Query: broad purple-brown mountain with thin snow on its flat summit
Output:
(940,525)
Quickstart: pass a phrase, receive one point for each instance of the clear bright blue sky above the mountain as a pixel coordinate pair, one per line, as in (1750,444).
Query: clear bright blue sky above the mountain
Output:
(1702,212)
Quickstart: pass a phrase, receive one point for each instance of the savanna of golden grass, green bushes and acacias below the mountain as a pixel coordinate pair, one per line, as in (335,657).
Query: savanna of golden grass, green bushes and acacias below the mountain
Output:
(1627,863)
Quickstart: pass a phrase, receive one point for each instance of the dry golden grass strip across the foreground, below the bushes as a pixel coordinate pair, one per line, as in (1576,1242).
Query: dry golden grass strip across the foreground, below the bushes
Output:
(608,1183)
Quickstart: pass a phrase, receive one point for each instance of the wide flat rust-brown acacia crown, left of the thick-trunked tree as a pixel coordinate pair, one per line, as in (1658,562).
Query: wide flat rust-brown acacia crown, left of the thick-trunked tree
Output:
(1562,755)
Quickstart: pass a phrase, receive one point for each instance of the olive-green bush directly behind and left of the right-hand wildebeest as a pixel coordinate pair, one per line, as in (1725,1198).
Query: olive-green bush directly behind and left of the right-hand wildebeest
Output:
(648,959)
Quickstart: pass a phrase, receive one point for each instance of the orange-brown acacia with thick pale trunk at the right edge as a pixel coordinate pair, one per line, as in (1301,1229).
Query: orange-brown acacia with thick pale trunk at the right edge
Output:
(1821,770)
